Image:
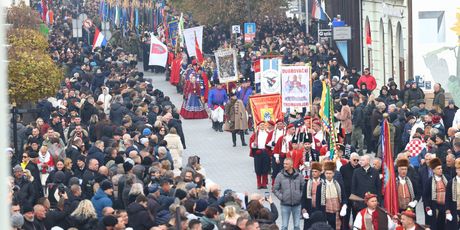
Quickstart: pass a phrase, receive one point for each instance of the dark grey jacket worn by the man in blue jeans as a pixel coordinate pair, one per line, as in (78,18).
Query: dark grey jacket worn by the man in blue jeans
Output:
(288,188)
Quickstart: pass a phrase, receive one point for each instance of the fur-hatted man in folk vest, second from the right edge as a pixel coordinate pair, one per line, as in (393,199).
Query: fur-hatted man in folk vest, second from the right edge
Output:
(434,196)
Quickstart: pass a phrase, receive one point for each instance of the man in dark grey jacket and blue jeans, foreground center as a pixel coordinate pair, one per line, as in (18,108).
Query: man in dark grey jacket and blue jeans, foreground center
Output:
(288,189)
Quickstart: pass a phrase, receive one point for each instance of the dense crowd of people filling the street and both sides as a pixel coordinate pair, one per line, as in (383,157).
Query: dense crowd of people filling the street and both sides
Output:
(106,152)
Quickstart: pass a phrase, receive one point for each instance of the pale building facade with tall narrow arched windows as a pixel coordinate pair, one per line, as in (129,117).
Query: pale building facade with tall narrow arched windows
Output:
(385,39)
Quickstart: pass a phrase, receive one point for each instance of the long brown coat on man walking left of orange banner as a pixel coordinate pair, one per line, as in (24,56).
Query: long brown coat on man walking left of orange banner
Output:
(237,118)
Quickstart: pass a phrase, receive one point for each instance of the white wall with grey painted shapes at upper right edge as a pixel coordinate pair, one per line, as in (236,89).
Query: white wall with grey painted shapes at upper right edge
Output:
(432,58)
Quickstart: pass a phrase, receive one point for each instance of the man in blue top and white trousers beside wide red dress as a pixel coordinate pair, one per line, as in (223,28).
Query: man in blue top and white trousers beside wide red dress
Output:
(216,102)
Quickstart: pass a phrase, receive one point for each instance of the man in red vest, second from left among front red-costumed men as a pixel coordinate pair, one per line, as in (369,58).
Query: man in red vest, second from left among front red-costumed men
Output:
(282,147)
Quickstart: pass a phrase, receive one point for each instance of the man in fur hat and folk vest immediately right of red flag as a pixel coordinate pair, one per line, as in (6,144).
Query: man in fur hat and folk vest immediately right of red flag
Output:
(408,192)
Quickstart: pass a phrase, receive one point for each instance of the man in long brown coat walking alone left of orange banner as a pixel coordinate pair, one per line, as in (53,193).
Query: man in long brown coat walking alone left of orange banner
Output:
(237,119)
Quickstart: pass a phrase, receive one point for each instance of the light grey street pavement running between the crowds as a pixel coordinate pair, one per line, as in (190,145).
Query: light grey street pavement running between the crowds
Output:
(230,167)
